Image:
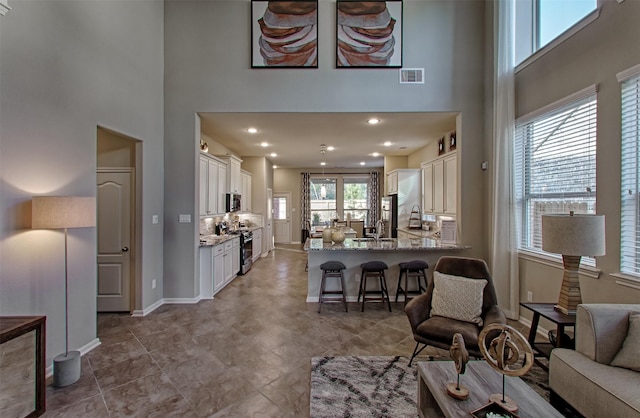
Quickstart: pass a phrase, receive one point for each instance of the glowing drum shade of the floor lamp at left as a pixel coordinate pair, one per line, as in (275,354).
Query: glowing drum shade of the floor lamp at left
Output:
(58,212)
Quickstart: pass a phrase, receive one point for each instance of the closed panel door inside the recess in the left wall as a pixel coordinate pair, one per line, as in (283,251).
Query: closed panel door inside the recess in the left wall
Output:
(114,240)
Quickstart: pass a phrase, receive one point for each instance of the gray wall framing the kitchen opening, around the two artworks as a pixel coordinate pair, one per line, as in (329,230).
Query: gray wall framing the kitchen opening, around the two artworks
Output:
(208,69)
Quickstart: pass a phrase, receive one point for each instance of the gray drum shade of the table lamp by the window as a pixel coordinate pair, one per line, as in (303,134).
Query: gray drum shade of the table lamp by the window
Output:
(573,234)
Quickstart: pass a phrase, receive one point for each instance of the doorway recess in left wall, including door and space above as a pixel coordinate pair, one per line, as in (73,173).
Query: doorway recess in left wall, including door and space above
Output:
(117,191)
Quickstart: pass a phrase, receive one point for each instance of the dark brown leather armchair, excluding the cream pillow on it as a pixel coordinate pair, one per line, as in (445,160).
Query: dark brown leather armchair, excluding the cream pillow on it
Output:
(438,331)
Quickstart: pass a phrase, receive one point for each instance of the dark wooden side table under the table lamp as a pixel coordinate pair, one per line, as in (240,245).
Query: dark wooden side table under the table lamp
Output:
(546,310)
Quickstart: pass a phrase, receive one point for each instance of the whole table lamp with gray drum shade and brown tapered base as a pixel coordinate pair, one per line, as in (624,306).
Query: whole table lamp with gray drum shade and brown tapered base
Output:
(572,236)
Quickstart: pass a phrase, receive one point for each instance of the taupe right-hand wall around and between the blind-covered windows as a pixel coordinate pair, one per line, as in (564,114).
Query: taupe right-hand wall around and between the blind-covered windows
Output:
(592,56)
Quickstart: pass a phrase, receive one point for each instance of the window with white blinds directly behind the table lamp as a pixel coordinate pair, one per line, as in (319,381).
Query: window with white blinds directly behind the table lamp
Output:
(555,164)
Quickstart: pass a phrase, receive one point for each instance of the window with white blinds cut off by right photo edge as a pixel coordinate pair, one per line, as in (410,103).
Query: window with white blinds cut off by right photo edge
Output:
(630,203)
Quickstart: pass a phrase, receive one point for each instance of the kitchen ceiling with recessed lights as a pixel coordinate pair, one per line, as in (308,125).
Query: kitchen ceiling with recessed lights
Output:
(296,138)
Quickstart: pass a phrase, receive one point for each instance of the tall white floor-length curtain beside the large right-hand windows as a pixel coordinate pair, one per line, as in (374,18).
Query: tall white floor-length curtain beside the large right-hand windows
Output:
(504,227)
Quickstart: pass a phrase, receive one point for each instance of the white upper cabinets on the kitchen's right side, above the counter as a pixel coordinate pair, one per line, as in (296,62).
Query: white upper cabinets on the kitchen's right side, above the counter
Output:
(439,179)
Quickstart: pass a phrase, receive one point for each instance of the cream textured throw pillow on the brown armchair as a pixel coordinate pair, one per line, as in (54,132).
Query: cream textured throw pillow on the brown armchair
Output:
(457,297)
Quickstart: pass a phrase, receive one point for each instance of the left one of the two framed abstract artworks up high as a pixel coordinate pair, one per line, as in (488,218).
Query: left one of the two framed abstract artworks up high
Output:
(284,34)
